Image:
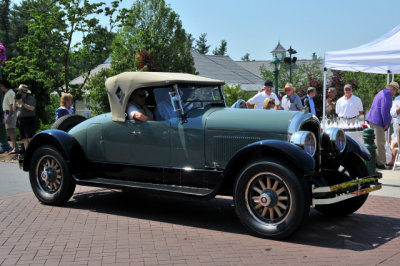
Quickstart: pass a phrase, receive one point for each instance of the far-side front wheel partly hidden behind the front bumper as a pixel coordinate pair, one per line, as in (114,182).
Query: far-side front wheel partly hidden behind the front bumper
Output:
(352,168)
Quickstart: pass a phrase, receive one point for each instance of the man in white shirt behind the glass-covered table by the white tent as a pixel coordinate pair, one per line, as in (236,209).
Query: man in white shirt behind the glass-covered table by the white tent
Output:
(349,106)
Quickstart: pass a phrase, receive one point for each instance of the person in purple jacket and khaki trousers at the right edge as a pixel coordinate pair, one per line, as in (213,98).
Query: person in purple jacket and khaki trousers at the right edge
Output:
(380,119)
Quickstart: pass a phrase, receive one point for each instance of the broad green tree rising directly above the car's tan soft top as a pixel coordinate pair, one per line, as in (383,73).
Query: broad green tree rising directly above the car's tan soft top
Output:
(152,26)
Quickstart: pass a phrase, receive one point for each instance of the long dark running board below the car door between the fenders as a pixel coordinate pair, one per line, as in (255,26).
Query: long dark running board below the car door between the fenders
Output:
(112,183)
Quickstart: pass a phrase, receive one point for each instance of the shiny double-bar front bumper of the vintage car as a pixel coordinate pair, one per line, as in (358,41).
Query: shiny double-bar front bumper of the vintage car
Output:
(340,192)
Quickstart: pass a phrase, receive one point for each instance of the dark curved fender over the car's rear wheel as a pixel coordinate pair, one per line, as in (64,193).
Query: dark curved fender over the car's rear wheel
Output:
(66,144)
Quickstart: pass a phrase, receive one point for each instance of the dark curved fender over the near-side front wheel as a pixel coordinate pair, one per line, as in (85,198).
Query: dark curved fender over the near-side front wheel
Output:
(280,149)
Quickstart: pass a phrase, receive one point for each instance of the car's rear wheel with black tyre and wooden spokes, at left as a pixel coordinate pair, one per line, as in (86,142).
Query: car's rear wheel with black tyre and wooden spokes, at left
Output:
(50,177)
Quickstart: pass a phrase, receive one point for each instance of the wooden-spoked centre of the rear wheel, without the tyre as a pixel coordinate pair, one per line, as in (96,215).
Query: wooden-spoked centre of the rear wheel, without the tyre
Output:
(48,172)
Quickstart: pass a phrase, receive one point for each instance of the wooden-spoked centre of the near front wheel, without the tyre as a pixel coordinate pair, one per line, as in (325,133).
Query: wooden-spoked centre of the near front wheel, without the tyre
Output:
(268,198)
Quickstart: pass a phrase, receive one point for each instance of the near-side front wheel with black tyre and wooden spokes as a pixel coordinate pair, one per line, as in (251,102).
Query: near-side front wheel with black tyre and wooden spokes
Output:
(271,200)
